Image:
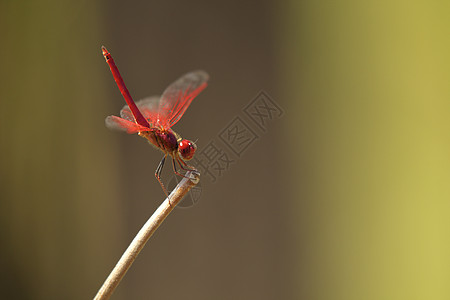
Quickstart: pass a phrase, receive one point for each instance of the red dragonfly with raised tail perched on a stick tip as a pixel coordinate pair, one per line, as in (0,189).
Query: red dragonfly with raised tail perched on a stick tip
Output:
(153,117)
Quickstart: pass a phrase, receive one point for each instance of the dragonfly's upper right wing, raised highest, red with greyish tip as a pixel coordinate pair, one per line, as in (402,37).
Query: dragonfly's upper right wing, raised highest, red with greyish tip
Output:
(179,95)
